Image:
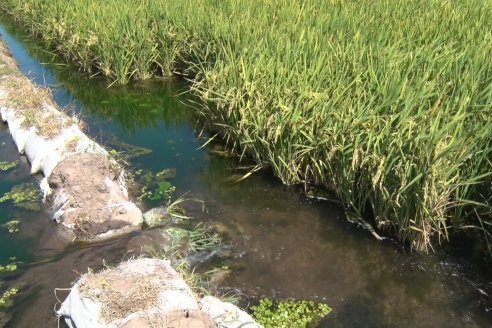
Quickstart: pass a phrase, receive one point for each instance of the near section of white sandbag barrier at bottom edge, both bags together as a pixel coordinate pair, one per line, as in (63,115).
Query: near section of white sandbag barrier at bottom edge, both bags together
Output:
(84,308)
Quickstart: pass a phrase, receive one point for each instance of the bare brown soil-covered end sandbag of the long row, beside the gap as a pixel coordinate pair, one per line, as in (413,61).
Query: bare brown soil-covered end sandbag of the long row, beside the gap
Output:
(88,198)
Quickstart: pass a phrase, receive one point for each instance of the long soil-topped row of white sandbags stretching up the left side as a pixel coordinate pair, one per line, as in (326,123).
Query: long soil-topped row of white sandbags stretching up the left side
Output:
(83,188)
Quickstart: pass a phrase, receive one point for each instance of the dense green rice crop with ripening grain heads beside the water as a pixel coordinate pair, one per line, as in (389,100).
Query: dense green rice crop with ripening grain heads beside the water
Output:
(386,103)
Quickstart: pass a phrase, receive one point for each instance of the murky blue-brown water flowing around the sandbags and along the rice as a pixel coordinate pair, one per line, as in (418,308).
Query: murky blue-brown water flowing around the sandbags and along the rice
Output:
(280,244)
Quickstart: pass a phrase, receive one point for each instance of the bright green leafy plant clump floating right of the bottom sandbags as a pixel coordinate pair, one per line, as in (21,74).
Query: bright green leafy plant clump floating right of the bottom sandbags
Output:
(289,313)
